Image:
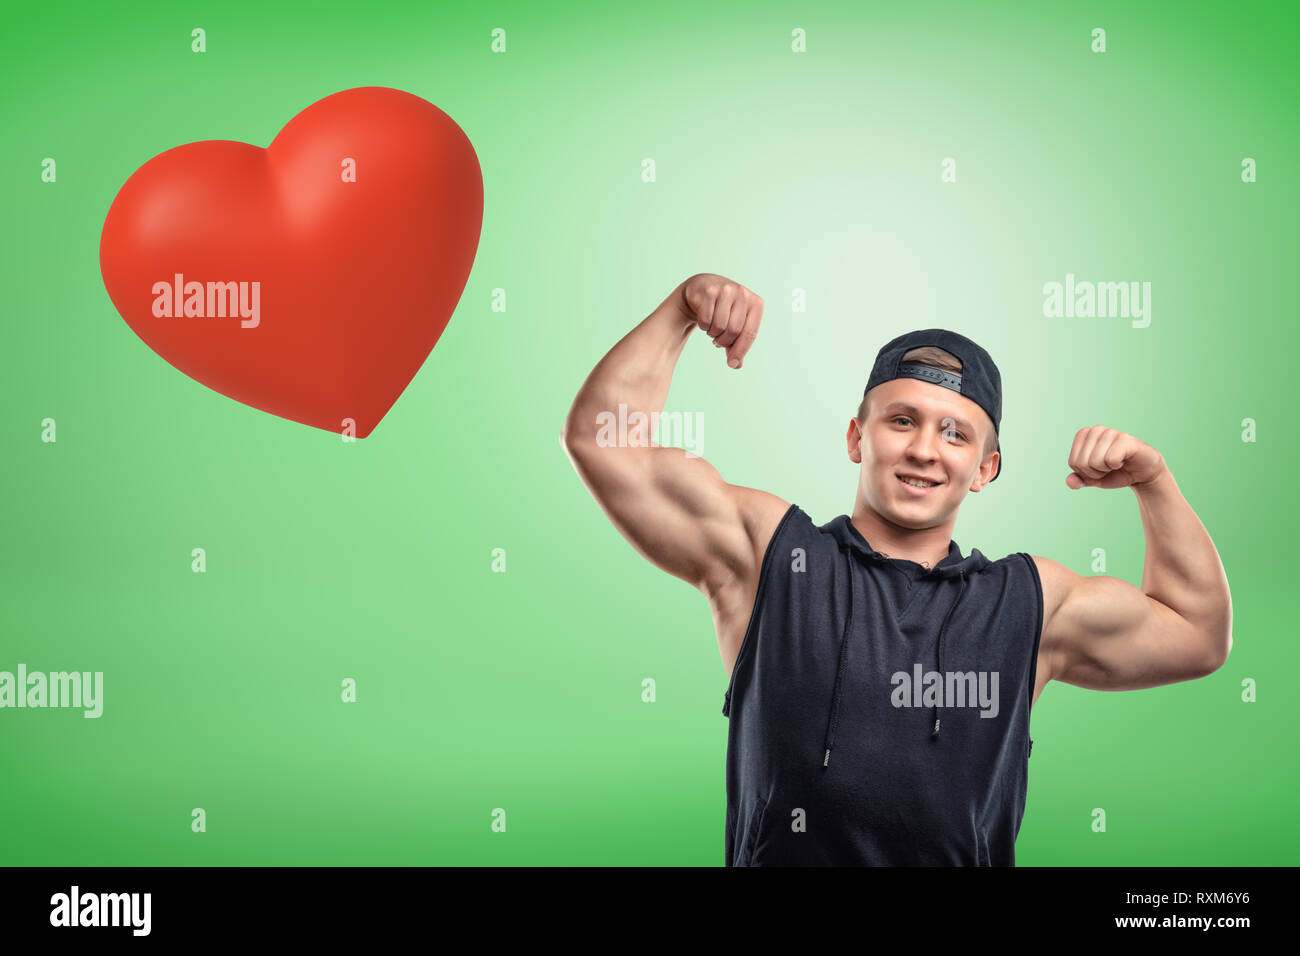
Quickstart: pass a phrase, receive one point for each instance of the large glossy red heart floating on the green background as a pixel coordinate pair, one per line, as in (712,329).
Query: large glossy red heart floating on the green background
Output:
(356,280)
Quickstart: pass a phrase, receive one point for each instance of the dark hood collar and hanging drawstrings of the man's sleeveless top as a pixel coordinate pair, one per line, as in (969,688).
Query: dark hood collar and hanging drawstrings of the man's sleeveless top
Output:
(856,548)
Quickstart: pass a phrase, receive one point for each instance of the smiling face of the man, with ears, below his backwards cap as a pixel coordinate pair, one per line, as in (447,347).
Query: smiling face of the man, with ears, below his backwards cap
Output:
(921,431)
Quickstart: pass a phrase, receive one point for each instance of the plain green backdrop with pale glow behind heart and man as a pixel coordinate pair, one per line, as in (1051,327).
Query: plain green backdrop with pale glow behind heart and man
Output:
(818,171)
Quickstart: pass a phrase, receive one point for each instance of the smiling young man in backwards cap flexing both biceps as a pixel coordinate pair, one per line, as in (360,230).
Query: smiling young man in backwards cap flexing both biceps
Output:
(882,681)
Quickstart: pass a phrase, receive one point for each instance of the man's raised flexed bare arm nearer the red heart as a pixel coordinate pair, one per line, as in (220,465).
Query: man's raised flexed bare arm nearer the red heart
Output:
(677,511)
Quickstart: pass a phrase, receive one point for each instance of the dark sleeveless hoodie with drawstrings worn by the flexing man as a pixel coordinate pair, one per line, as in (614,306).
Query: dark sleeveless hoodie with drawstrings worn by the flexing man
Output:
(840,750)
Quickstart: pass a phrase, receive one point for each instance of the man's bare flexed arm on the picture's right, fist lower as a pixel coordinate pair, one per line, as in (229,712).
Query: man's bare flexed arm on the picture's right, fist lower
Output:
(1104,634)
